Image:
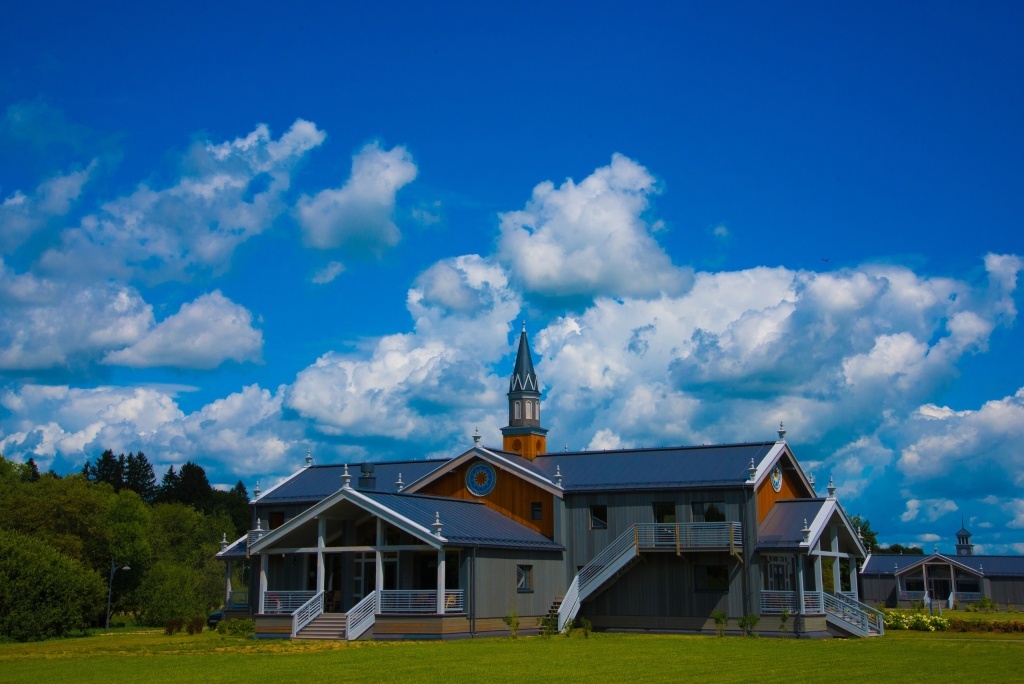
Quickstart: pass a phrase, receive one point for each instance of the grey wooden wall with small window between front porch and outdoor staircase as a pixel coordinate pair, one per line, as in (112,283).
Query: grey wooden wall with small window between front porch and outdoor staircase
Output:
(496,584)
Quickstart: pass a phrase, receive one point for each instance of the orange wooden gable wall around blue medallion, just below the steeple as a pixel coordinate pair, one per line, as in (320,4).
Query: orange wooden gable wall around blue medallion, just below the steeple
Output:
(511,496)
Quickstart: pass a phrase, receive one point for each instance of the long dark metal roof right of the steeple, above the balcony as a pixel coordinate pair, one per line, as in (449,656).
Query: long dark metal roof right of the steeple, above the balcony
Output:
(669,467)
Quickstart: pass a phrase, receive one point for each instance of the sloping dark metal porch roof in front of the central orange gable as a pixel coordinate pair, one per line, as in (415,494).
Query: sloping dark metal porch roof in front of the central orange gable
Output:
(464,523)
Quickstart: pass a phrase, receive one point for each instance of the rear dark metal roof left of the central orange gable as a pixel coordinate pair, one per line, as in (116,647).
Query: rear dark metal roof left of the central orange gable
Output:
(318,483)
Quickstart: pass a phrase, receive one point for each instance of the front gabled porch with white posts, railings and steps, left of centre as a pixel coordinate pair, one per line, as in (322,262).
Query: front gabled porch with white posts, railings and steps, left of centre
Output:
(356,558)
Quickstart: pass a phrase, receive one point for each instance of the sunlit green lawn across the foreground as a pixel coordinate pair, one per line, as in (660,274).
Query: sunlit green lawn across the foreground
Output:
(903,657)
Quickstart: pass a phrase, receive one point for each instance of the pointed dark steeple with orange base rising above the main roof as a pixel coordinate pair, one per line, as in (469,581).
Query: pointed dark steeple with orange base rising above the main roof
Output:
(524,435)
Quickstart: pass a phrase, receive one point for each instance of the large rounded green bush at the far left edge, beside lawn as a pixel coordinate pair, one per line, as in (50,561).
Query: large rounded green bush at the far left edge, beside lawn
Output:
(45,593)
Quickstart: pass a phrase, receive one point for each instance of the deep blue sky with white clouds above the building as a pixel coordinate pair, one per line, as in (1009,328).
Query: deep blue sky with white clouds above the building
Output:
(234,233)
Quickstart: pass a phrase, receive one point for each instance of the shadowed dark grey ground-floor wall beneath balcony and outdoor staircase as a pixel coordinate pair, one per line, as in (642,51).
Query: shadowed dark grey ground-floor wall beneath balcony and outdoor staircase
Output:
(661,586)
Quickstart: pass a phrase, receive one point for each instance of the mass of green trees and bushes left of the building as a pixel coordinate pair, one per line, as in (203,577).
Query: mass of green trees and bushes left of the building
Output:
(60,538)
